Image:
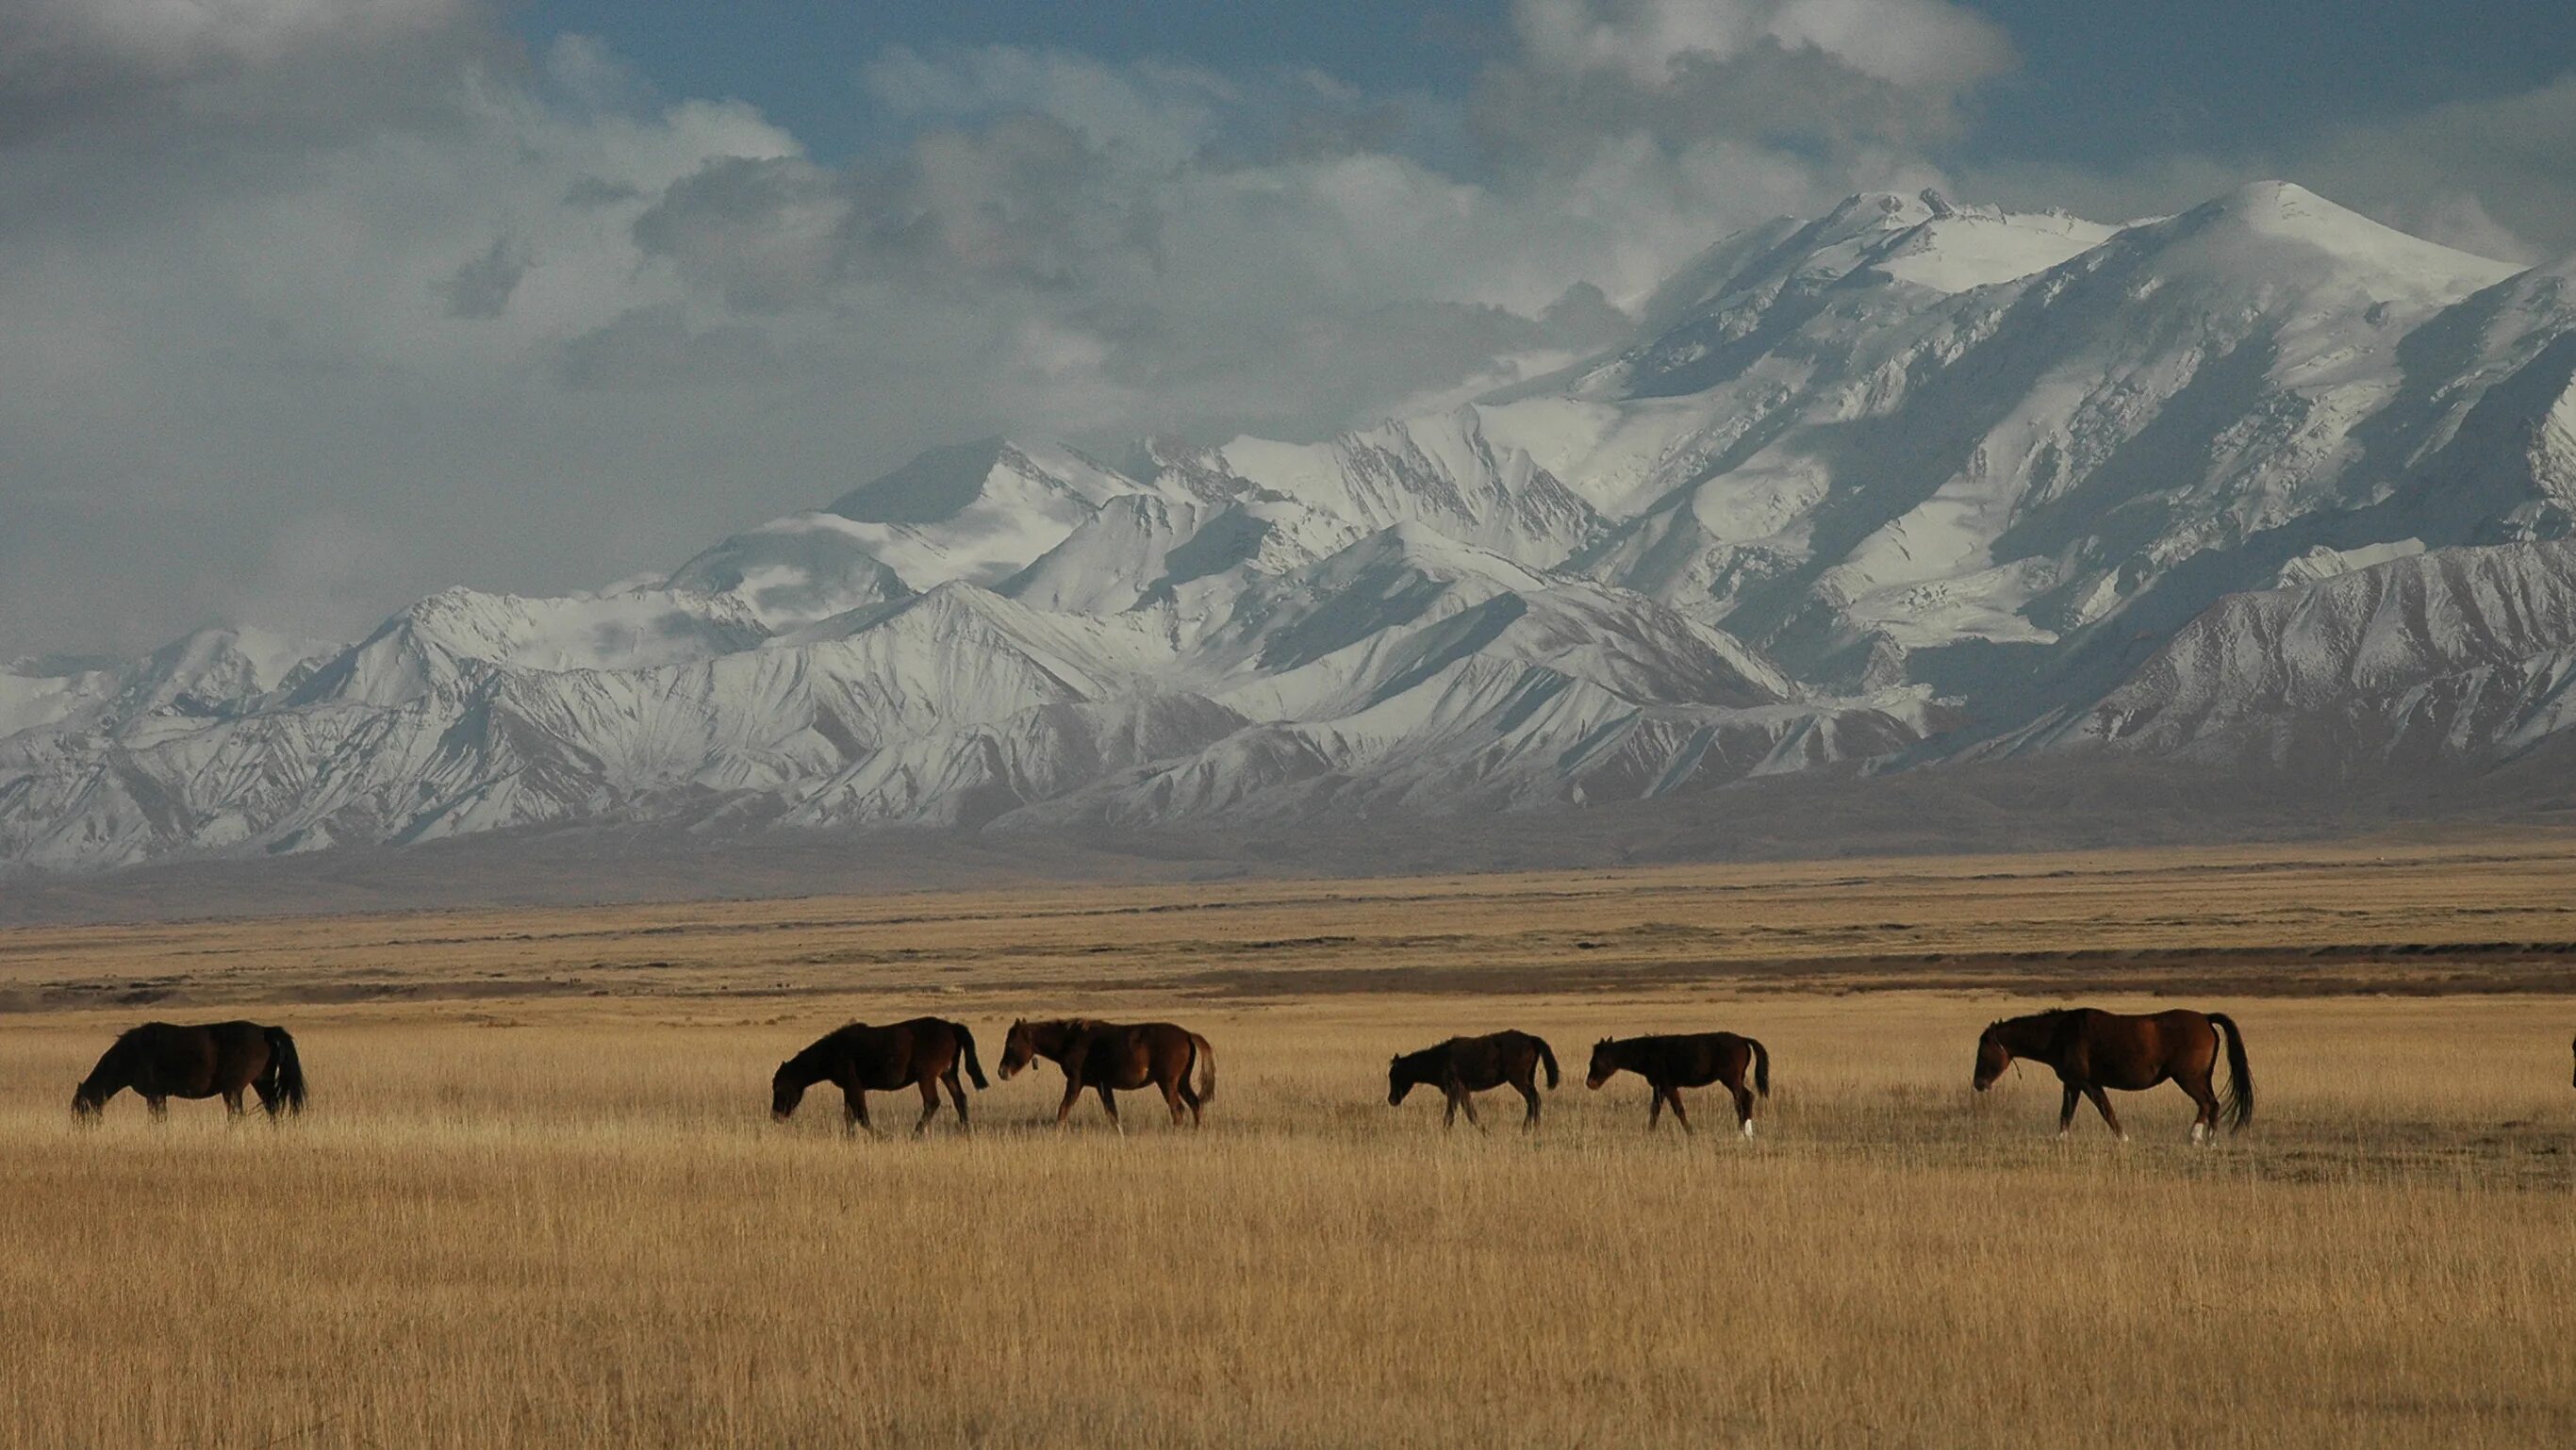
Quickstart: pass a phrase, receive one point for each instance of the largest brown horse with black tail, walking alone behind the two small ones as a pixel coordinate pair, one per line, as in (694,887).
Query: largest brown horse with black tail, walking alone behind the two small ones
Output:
(2111,1050)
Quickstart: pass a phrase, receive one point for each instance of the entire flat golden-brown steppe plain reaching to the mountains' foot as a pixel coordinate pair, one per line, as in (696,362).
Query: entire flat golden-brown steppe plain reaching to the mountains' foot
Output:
(540,1199)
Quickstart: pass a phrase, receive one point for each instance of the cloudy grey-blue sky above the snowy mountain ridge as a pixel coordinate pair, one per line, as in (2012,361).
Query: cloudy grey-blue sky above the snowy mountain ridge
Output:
(310,308)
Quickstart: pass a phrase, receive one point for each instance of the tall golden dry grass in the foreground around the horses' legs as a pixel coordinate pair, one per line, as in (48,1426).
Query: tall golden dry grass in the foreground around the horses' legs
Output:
(581,1230)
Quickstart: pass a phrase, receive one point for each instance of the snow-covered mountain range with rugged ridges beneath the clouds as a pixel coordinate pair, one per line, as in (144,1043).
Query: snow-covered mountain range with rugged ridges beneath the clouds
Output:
(2260,485)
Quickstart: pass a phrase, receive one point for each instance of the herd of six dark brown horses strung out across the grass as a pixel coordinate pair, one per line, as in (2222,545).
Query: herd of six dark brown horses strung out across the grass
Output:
(2090,1052)
